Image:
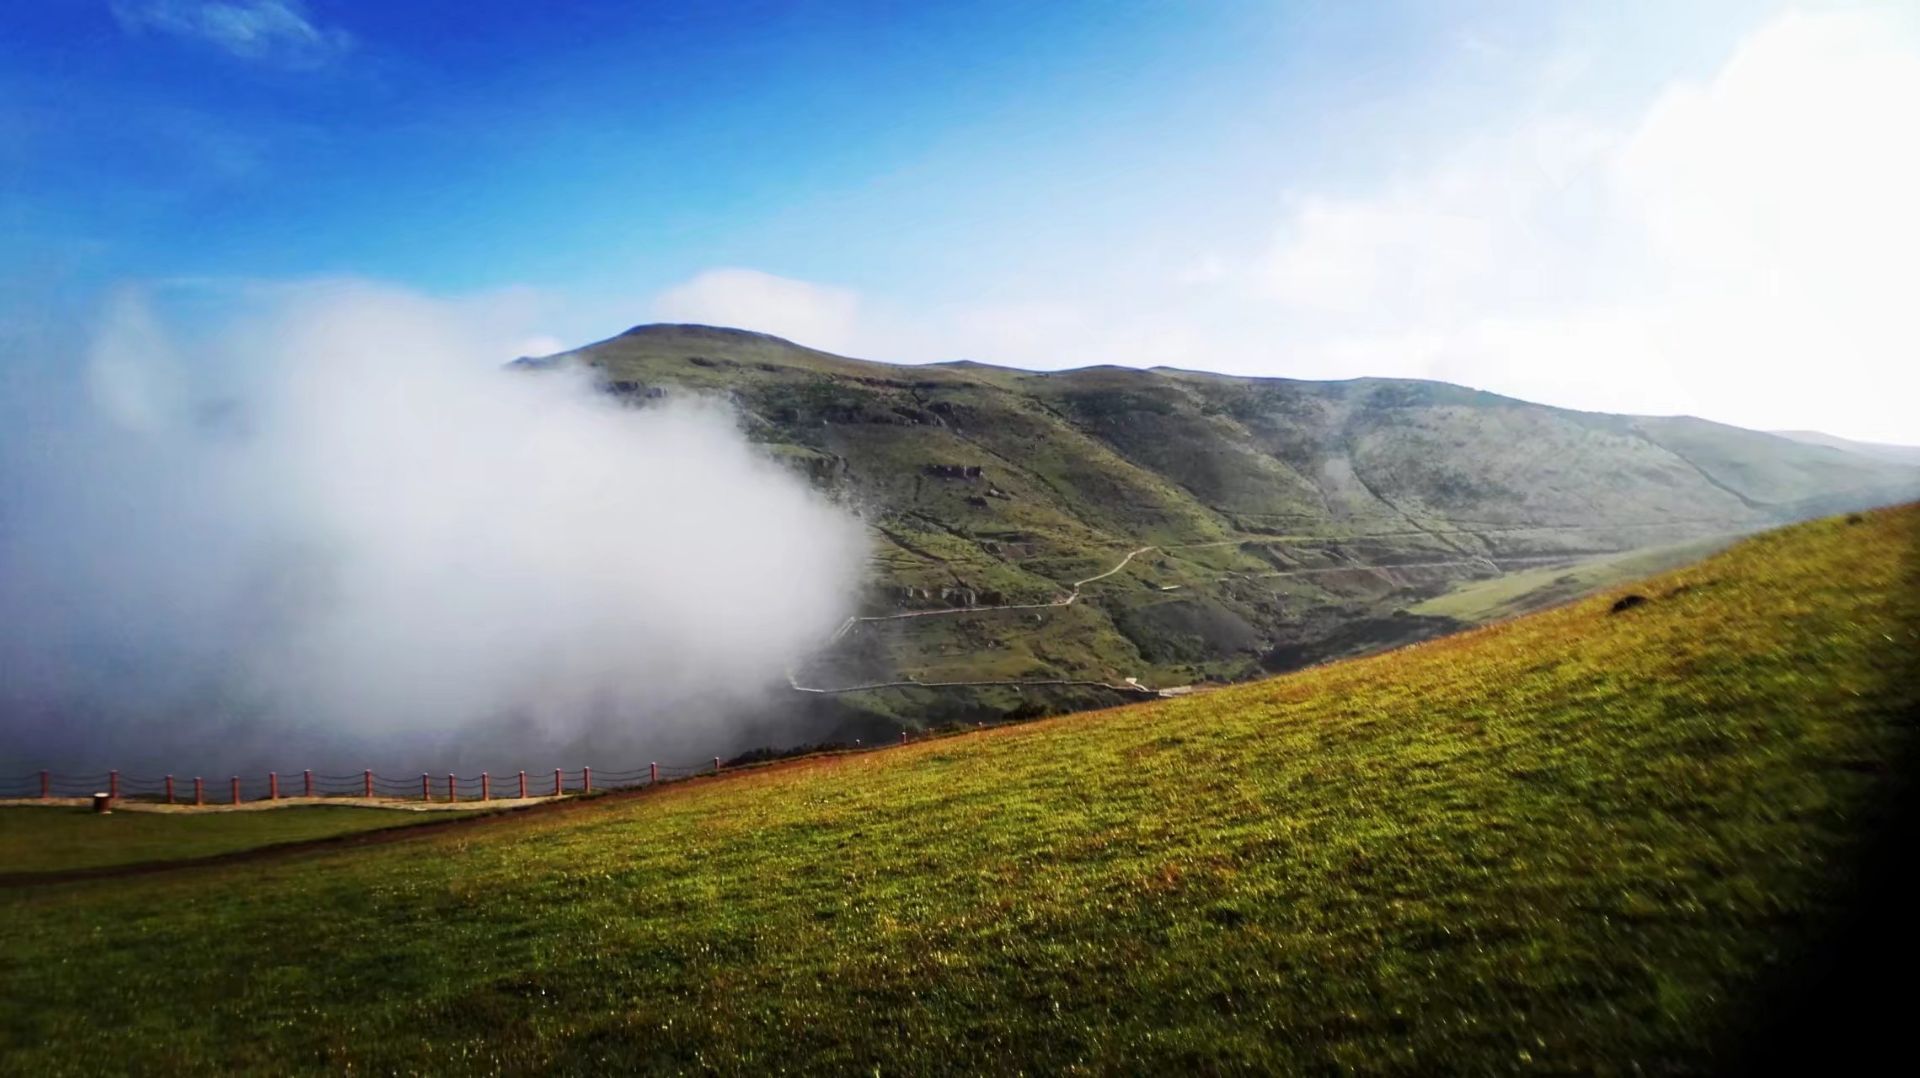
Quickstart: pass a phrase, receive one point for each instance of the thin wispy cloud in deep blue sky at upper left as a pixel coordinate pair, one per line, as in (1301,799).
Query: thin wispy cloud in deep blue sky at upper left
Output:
(272,32)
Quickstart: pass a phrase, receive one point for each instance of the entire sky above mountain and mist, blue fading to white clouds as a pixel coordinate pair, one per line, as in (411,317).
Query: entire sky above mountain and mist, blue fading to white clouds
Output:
(1489,193)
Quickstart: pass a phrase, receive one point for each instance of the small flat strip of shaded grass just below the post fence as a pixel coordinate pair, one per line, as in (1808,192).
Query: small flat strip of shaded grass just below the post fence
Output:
(59,839)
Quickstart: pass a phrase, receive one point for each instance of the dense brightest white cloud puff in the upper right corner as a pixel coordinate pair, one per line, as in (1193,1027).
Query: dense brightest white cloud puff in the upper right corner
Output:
(1781,205)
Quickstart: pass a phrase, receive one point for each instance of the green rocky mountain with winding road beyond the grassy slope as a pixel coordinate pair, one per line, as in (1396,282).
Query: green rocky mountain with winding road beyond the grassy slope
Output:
(1178,527)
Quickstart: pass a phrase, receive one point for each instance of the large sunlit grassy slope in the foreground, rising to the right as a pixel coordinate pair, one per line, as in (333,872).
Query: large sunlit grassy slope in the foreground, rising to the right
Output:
(1572,841)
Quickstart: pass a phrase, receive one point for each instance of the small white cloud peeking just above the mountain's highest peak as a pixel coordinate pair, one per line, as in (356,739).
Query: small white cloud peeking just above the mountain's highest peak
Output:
(811,314)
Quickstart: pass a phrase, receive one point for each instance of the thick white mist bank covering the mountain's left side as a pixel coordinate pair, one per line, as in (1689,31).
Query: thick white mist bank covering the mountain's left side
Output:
(343,533)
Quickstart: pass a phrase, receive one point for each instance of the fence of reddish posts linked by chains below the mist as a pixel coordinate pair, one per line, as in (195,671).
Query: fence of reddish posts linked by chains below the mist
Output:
(368,785)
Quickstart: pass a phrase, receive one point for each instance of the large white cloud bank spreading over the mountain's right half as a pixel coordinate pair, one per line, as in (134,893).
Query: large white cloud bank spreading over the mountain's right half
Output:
(1742,251)
